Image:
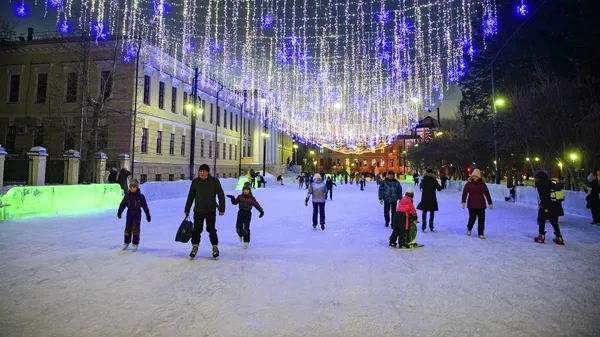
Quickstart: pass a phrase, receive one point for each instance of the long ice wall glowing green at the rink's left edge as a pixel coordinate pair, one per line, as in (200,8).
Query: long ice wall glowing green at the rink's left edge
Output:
(30,201)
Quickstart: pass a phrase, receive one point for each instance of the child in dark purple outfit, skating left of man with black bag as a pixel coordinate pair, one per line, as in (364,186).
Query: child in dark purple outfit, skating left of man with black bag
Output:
(134,201)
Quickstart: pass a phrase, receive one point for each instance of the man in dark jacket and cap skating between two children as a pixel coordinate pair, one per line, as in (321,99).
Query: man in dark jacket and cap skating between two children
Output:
(203,191)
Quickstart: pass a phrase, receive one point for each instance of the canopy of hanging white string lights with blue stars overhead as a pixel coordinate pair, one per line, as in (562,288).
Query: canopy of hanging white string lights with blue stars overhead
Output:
(338,73)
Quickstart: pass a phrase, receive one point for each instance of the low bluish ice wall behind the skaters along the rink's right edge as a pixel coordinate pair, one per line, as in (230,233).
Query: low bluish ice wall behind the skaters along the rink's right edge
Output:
(574,201)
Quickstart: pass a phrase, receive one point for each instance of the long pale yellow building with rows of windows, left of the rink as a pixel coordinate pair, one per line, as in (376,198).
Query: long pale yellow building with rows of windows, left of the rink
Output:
(44,82)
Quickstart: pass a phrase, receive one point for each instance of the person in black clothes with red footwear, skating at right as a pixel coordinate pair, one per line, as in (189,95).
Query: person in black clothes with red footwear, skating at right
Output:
(548,209)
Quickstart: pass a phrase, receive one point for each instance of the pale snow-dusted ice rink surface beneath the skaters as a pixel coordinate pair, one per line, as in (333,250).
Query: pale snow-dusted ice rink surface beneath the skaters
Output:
(68,277)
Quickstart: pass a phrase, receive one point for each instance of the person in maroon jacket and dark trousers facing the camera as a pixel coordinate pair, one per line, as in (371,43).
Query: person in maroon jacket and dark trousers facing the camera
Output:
(474,196)
